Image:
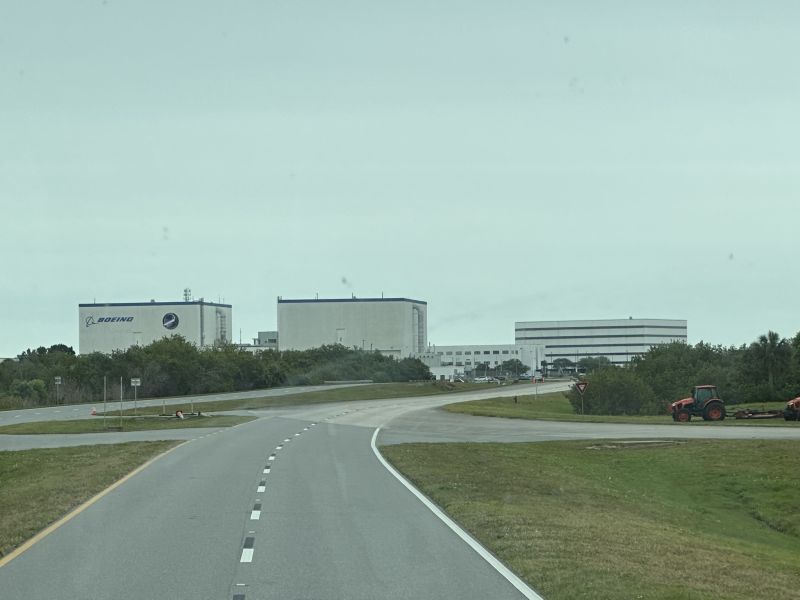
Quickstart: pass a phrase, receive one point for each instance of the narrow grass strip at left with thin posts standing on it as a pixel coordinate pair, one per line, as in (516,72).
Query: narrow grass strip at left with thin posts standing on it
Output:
(128,424)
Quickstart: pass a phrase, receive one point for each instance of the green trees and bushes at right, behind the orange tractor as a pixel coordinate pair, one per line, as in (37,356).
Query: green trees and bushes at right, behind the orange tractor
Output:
(766,370)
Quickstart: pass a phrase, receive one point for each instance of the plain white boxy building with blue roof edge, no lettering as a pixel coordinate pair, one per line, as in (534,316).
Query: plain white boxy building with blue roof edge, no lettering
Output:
(393,326)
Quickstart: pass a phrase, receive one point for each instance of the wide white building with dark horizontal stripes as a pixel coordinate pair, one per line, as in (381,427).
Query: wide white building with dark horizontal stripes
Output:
(619,340)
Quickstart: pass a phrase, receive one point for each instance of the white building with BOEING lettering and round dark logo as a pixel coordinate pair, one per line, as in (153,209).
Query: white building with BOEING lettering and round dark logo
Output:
(117,326)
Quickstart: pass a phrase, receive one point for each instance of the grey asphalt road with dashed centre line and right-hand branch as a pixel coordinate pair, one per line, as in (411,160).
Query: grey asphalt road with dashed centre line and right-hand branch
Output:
(326,520)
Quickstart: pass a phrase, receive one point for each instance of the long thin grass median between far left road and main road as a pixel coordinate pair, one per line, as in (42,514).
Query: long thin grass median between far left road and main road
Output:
(363,392)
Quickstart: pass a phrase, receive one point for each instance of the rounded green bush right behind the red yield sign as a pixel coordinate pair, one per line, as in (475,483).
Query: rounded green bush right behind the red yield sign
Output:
(616,391)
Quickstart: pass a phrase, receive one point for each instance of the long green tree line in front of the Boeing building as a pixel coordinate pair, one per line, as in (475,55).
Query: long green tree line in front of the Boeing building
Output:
(174,367)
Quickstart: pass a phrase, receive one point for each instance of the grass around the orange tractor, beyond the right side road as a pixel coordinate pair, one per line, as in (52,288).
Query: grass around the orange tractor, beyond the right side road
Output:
(556,407)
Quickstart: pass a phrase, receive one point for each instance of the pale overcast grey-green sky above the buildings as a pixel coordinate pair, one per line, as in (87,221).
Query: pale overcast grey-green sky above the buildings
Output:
(501,160)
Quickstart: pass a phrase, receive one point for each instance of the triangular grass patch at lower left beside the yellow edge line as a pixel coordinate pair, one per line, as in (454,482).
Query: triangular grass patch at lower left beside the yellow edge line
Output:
(37,487)
